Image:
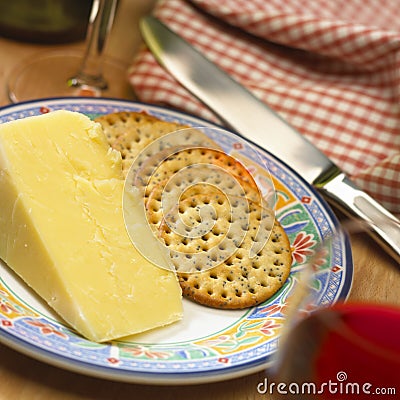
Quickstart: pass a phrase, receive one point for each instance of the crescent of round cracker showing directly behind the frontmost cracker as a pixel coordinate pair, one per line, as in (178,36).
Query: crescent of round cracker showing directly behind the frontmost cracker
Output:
(191,172)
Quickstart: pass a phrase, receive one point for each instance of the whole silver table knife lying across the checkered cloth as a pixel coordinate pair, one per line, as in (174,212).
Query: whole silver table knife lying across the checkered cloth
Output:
(266,129)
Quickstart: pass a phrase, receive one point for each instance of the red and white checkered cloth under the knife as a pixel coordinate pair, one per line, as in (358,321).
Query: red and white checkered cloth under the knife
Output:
(331,68)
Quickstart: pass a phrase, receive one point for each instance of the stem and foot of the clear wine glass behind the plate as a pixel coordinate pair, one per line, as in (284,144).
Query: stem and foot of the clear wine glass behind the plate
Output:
(69,73)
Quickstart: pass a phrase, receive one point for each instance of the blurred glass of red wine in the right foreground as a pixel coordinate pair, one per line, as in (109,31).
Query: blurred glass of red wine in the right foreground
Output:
(342,351)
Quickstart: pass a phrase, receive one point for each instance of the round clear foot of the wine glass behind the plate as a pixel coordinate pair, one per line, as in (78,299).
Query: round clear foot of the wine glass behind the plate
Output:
(49,74)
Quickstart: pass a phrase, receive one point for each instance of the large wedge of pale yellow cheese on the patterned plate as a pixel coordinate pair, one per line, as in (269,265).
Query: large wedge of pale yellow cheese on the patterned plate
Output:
(62,229)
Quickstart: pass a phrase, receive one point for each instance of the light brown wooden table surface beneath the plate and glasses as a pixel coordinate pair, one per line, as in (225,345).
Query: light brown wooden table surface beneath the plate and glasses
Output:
(376,277)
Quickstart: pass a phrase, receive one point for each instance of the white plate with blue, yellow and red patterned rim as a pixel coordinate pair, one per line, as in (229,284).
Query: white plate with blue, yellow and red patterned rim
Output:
(208,344)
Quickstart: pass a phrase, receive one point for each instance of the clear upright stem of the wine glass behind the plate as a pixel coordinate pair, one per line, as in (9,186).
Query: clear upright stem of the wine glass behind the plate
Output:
(90,73)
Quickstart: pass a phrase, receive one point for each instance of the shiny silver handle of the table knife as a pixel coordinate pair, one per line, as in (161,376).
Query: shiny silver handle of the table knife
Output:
(384,227)
